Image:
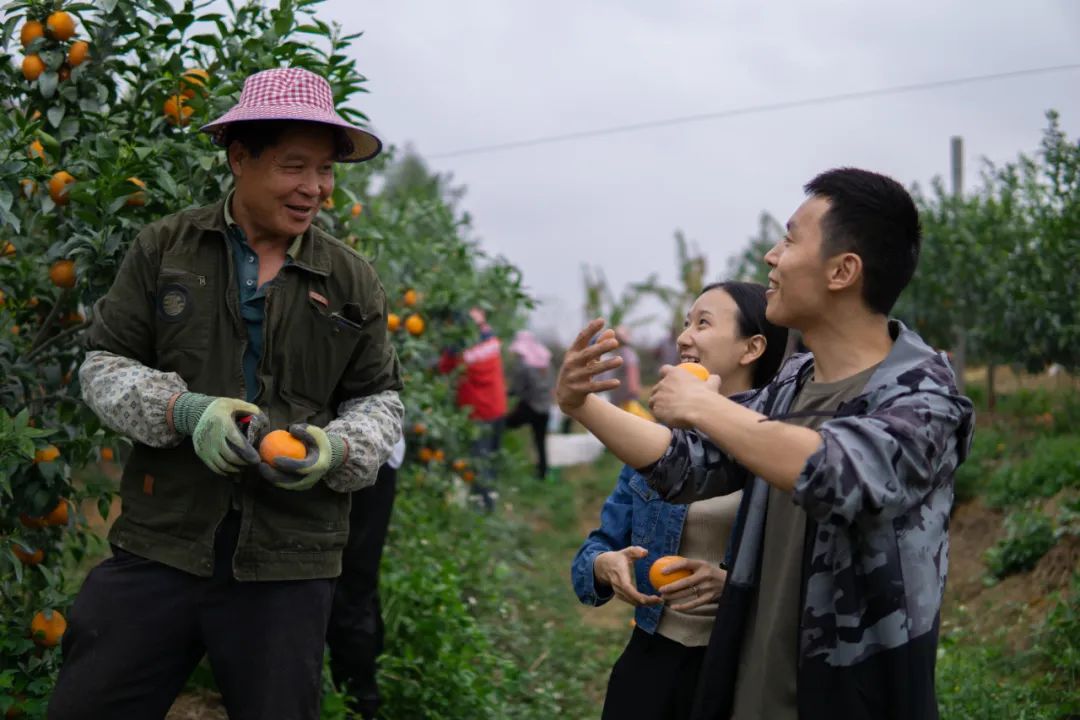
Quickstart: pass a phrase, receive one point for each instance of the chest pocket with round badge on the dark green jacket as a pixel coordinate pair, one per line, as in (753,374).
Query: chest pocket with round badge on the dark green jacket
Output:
(183,310)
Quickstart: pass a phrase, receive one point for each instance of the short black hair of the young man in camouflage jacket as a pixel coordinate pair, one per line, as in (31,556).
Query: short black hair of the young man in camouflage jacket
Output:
(873,216)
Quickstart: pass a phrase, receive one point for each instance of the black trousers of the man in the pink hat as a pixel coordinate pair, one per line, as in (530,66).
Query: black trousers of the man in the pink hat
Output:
(139,629)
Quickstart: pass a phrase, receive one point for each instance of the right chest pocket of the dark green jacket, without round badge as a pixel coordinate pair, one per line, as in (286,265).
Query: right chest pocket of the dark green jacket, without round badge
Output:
(322,346)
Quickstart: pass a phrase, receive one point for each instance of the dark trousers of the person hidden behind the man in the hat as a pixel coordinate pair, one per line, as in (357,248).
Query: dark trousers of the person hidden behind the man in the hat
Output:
(355,635)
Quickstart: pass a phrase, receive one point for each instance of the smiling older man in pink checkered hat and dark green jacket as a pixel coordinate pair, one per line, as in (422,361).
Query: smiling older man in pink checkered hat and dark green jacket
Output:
(225,322)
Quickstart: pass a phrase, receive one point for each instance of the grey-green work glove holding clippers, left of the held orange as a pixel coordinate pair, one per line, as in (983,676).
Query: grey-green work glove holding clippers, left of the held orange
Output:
(212,423)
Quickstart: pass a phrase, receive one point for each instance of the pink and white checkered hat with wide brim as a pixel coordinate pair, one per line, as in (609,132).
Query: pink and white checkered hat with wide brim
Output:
(293,94)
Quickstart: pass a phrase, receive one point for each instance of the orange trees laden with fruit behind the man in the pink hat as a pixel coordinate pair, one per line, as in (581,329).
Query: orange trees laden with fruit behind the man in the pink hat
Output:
(99,137)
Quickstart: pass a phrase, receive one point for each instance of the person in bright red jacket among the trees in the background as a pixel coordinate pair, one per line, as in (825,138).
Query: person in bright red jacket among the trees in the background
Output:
(482,388)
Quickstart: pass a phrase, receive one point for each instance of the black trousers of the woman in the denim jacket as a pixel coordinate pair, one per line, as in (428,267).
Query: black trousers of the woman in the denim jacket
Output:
(654,680)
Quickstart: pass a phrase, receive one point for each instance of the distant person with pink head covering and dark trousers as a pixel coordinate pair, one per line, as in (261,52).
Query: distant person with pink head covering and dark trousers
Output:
(532,385)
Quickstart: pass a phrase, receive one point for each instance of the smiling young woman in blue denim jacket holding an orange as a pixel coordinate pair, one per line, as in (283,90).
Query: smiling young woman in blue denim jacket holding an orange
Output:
(657,674)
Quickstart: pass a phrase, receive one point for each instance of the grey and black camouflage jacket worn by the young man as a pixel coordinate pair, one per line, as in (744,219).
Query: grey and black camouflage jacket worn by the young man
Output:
(877,494)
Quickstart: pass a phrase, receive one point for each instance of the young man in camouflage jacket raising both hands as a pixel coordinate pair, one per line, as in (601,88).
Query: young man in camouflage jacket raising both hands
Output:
(846,460)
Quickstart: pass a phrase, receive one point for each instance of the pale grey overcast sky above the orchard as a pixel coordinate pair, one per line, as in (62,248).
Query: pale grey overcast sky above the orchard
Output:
(450,76)
